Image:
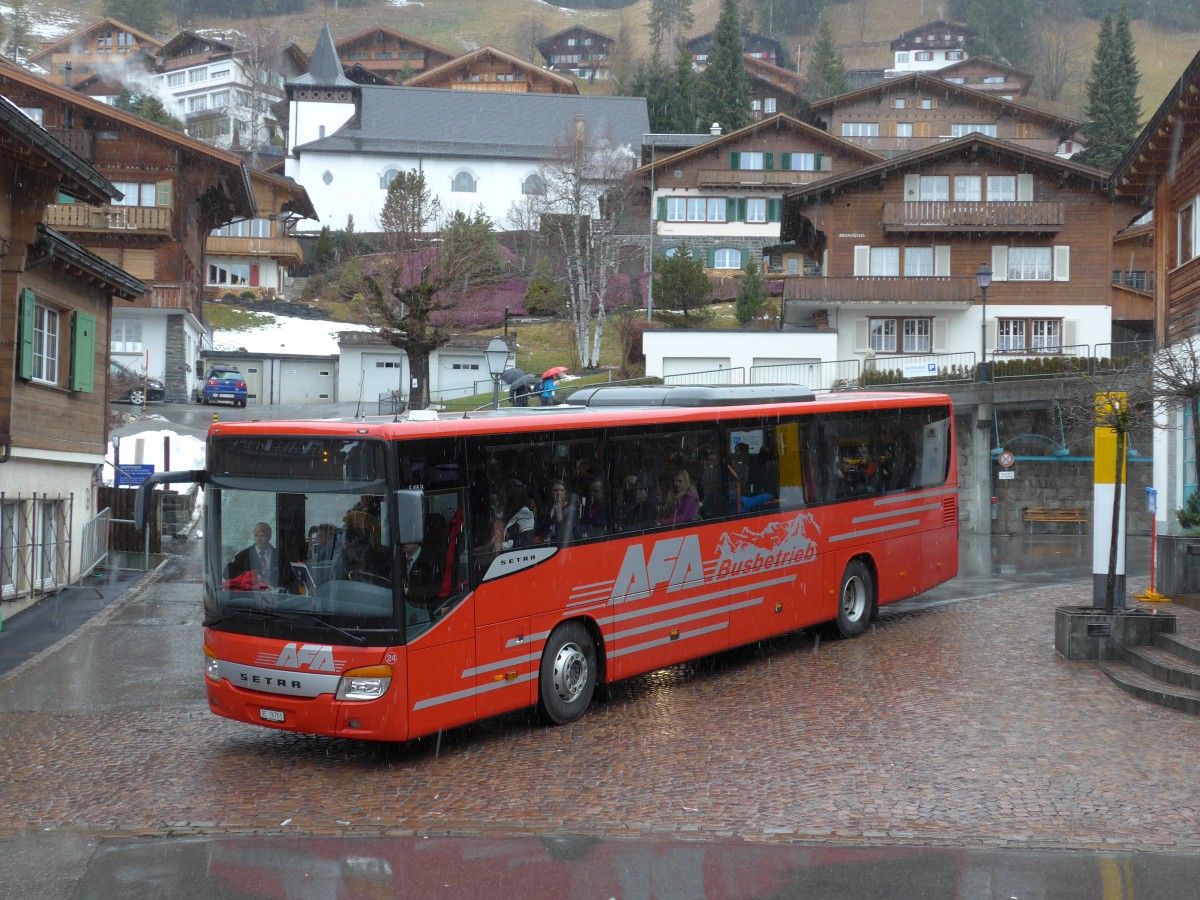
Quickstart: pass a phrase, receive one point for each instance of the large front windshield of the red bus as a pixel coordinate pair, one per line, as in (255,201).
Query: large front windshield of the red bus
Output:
(297,541)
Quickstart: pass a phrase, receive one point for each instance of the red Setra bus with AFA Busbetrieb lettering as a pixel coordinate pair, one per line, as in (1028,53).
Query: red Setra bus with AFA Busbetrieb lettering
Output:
(434,571)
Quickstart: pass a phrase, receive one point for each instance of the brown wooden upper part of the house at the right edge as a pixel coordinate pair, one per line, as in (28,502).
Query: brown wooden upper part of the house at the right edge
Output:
(1162,173)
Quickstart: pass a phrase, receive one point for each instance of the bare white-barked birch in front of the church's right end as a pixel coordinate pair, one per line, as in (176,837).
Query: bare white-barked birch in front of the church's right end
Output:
(585,196)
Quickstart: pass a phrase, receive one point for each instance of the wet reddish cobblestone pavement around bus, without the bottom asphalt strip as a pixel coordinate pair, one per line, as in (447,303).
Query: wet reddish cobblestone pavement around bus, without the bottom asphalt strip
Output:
(957,725)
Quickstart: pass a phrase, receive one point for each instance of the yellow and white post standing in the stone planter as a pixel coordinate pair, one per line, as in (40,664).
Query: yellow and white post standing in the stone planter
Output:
(1105,491)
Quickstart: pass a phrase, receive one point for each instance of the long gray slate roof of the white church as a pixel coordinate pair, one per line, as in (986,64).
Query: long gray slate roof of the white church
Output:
(447,123)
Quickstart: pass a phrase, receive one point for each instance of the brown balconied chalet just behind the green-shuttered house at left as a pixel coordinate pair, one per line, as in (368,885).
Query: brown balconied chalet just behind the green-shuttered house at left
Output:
(176,191)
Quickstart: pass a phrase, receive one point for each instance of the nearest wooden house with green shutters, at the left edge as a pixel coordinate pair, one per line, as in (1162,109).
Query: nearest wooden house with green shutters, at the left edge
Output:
(56,307)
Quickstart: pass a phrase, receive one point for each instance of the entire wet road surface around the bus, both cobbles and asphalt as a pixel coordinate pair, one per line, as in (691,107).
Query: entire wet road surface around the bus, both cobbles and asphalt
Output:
(947,753)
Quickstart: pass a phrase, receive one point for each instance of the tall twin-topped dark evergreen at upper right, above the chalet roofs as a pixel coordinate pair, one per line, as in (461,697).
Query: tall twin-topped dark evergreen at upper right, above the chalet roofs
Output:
(1113,105)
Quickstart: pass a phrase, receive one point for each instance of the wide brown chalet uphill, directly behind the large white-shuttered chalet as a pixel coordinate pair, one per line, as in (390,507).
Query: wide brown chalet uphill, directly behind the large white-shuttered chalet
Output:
(919,111)
